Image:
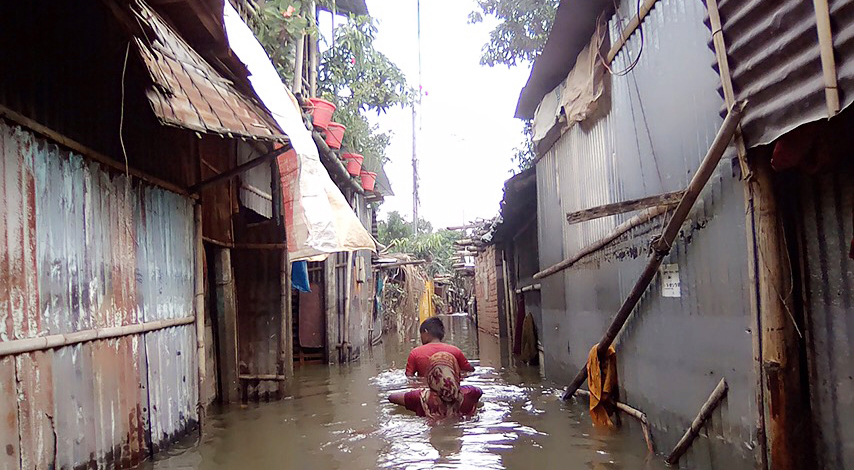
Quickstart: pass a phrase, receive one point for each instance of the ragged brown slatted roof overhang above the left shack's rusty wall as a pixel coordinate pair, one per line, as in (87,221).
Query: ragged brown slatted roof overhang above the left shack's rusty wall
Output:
(188,92)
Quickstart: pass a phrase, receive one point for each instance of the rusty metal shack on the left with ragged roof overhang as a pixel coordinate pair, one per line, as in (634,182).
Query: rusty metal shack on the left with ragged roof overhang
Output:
(142,239)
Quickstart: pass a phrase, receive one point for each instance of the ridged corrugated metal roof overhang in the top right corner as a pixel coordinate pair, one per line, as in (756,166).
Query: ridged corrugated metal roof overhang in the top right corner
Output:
(775,62)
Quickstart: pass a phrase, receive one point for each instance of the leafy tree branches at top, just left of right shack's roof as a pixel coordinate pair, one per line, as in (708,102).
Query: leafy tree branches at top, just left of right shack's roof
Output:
(522,30)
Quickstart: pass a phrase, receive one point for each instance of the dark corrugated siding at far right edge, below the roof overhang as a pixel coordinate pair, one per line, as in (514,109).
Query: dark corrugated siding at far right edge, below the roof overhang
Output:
(826,213)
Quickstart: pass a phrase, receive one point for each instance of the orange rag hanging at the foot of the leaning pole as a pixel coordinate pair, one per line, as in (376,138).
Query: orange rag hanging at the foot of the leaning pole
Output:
(602,380)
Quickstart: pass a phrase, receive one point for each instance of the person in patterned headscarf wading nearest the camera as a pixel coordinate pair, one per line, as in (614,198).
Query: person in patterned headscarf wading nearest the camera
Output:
(444,397)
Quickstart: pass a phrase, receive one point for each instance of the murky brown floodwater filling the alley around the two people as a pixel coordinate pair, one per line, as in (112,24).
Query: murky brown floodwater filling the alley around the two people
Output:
(339,418)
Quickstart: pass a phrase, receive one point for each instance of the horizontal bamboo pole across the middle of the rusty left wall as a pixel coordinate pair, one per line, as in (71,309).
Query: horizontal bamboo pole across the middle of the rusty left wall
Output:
(41,343)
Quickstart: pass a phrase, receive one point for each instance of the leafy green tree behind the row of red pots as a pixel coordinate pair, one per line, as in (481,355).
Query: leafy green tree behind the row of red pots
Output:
(360,79)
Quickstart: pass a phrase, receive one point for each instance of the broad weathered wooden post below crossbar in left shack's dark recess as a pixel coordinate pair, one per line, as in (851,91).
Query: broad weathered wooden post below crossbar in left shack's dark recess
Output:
(227,326)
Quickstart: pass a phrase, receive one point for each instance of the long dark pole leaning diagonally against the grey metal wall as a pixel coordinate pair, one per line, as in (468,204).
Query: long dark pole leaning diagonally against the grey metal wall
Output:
(661,246)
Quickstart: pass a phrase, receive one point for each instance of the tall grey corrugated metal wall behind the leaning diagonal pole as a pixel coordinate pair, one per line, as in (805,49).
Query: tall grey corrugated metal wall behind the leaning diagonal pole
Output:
(649,139)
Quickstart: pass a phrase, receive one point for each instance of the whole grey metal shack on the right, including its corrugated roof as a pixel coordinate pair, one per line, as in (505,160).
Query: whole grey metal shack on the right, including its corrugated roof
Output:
(757,287)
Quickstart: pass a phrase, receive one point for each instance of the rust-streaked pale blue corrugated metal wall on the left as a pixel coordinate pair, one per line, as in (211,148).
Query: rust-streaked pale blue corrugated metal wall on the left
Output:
(82,249)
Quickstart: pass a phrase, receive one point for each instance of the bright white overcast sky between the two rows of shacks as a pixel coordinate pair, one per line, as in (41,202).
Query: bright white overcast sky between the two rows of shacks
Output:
(468,132)
